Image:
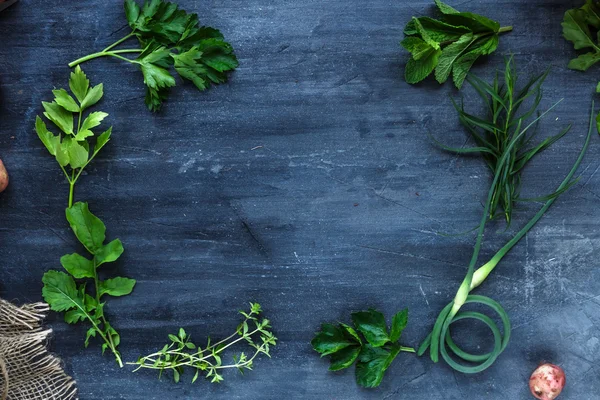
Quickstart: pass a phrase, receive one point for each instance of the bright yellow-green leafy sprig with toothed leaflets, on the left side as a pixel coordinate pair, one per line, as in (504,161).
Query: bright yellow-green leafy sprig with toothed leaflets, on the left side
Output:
(72,146)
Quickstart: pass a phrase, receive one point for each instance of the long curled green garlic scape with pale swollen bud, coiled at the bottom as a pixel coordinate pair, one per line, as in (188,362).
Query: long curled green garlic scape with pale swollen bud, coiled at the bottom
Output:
(440,339)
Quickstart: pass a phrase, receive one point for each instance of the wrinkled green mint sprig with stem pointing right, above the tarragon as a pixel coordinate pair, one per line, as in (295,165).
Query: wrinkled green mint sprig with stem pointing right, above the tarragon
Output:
(448,46)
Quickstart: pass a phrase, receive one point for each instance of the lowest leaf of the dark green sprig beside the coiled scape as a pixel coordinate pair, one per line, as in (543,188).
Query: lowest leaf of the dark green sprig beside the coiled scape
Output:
(372,364)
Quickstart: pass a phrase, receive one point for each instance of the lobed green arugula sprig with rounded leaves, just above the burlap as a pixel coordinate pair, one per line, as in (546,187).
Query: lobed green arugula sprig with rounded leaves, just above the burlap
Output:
(64,294)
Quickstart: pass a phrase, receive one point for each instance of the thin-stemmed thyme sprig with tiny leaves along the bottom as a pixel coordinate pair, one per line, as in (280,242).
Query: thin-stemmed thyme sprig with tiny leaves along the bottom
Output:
(181,352)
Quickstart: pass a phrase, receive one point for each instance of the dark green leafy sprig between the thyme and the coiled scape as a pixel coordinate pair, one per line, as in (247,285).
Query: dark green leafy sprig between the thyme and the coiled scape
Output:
(373,356)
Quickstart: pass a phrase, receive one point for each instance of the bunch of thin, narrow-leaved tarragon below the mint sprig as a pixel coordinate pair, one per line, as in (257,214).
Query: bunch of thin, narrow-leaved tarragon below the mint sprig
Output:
(504,118)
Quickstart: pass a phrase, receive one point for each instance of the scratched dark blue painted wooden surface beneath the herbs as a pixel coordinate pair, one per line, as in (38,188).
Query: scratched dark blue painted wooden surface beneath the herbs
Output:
(307,184)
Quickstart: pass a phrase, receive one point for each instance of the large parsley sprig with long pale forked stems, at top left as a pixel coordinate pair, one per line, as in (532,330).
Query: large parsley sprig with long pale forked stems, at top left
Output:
(171,37)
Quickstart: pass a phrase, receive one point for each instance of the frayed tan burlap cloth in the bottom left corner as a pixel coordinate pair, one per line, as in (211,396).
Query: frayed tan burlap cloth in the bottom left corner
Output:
(27,370)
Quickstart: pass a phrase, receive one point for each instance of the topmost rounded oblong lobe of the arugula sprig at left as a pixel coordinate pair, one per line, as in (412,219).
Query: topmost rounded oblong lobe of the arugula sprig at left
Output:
(87,227)
